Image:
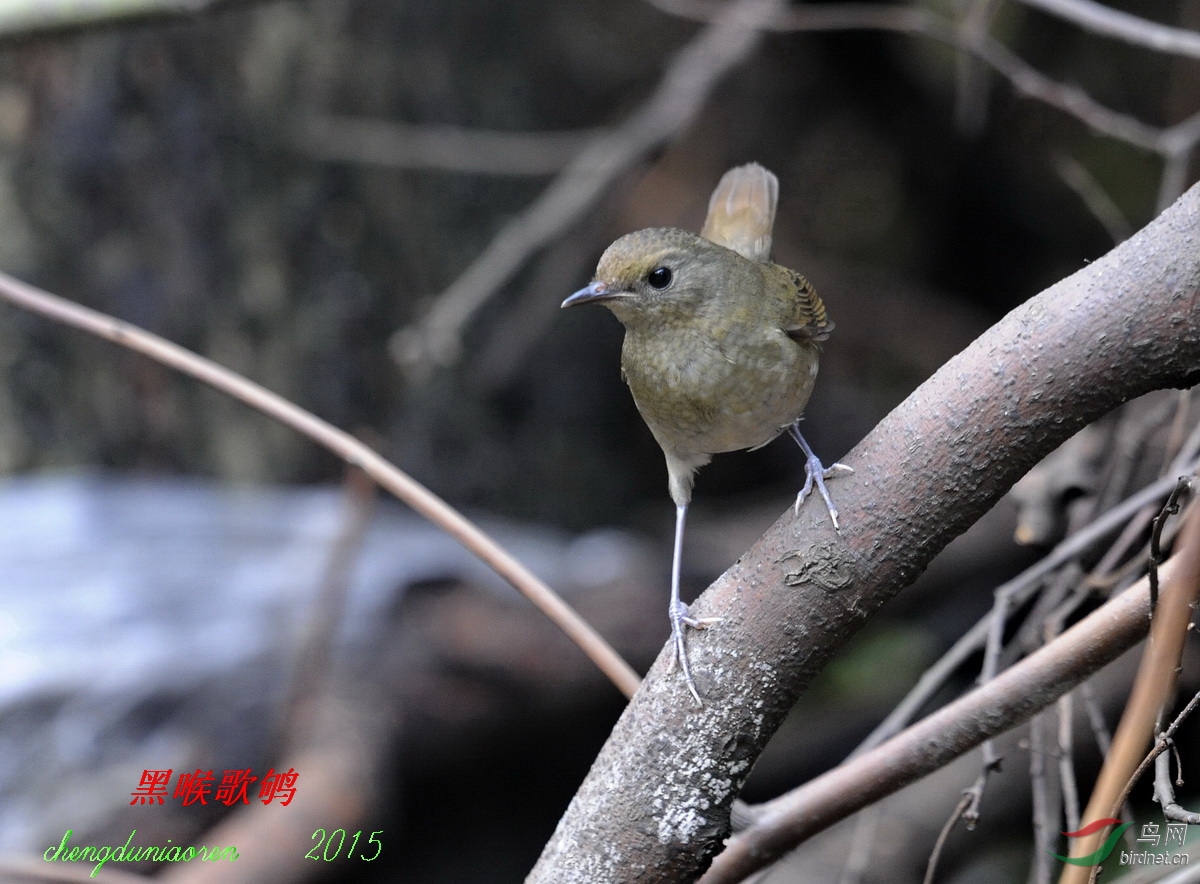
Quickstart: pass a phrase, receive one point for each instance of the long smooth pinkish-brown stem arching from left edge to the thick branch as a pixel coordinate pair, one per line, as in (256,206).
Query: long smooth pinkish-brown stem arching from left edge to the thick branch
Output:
(343,444)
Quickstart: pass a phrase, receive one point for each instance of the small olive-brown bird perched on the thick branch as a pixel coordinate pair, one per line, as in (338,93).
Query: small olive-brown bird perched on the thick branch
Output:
(722,346)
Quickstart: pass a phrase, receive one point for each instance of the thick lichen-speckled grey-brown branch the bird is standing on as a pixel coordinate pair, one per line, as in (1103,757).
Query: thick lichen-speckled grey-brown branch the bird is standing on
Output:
(656,805)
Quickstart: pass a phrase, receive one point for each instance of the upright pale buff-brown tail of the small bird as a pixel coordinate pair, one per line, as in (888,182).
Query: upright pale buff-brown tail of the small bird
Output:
(742,212)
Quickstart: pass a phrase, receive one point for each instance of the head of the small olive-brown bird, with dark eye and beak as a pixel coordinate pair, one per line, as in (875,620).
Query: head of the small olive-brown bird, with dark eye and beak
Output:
(659,275)
